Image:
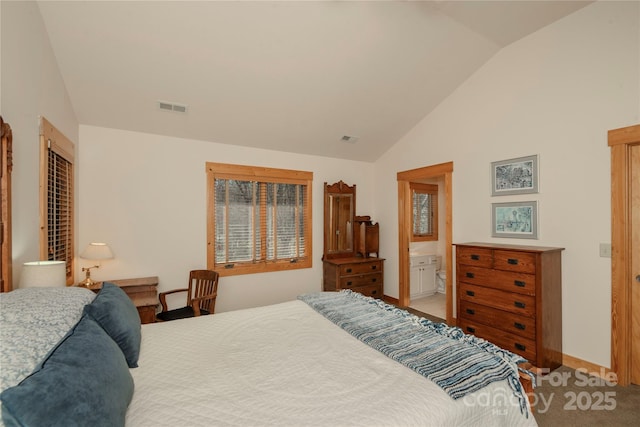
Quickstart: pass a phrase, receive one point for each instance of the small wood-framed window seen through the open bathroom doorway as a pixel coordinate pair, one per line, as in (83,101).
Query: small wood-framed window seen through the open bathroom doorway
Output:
(424,201)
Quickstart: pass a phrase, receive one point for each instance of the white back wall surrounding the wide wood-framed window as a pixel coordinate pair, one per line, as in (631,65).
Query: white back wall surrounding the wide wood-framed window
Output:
(145,196)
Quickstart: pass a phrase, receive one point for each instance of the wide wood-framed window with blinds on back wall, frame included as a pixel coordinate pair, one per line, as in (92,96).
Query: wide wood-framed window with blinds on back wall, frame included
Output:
(258,219)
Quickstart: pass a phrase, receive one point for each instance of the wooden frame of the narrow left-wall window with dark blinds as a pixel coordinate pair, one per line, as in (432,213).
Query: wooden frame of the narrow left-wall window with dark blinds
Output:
(53,141)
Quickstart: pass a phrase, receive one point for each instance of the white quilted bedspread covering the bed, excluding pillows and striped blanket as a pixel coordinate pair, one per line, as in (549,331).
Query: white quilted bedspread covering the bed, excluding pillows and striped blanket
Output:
(287,365)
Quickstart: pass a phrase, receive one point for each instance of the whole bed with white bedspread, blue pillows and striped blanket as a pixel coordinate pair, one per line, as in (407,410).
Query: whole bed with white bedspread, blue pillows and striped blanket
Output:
(332,358)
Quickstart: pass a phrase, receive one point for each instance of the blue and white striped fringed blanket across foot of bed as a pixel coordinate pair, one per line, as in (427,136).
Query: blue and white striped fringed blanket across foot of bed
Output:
(460,364)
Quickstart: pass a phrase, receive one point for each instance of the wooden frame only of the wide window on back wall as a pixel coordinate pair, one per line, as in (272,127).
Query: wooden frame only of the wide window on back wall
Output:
(261,174)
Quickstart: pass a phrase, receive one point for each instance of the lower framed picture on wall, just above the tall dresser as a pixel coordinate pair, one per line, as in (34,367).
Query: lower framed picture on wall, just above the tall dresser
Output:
(515,219)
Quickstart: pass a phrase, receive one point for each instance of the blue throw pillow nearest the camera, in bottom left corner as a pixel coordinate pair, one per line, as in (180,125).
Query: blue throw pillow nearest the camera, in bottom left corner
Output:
(83,381)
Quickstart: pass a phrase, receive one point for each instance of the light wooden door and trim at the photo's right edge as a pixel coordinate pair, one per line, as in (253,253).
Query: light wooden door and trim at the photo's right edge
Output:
(625,260)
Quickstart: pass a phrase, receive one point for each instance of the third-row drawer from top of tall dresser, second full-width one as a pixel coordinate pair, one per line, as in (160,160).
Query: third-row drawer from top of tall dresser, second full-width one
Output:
(524,305)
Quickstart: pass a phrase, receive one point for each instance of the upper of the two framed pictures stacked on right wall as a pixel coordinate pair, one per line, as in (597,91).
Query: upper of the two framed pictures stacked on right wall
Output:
(514,176)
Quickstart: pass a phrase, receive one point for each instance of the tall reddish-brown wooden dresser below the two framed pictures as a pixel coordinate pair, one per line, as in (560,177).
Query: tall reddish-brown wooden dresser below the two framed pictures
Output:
(511,295)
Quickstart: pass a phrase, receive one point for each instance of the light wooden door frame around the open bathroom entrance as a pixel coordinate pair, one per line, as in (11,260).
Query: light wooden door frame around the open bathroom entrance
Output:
(444,171)
